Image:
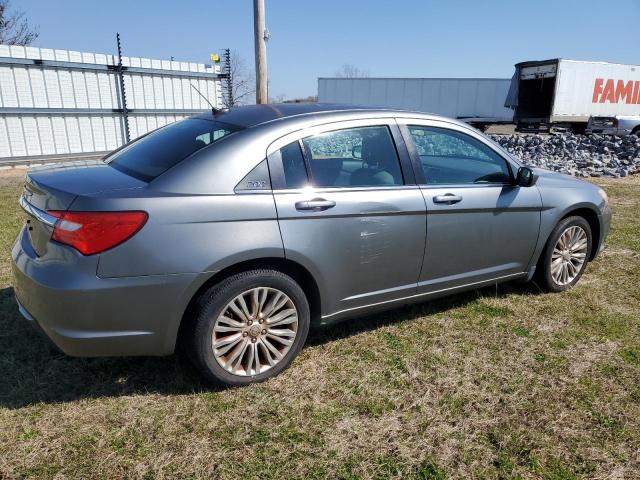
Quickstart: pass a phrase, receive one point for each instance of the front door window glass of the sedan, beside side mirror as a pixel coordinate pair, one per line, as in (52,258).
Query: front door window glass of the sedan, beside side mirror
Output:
(451,157)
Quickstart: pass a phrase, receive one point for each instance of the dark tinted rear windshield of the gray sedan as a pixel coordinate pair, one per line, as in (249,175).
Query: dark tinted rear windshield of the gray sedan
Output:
(157,152)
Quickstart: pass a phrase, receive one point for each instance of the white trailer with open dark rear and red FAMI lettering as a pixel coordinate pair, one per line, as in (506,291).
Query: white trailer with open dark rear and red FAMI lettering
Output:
(563,94)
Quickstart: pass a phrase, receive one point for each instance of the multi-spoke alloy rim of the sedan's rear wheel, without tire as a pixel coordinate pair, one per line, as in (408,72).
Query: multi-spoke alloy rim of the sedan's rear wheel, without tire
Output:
(254,331)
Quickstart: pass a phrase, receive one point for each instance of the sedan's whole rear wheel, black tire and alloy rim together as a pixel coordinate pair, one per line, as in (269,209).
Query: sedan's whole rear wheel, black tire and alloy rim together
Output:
(249,327)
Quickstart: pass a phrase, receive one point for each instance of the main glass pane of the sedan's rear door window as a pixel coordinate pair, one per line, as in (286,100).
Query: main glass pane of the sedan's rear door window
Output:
(355,157)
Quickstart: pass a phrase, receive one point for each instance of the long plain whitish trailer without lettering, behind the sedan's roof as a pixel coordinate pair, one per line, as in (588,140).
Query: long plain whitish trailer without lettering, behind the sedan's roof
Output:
(479,101)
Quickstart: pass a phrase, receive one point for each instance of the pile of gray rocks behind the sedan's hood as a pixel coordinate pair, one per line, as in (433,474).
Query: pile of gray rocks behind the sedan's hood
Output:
(578,155)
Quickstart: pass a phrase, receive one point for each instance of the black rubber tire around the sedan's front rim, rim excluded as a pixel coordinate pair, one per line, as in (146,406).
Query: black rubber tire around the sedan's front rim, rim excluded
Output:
(543,271)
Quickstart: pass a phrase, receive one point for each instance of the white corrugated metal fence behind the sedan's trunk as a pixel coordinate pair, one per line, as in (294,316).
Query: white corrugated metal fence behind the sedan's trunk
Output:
(65,103)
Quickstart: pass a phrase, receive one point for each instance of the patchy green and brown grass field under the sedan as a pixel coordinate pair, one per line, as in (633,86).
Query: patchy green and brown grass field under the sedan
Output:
(491,384)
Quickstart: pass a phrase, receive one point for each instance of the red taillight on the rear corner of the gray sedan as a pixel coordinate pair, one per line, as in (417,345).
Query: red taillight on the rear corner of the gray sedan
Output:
(95,232)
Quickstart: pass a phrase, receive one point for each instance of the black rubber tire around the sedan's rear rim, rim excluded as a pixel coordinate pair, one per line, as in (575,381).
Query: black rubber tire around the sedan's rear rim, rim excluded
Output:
(211,305)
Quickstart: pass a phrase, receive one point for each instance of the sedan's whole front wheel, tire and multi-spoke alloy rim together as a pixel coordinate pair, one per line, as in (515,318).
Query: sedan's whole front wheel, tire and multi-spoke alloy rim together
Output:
(566,254)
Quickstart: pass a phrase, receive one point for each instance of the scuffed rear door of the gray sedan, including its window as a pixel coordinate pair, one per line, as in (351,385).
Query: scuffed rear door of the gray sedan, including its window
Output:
(350,212)
